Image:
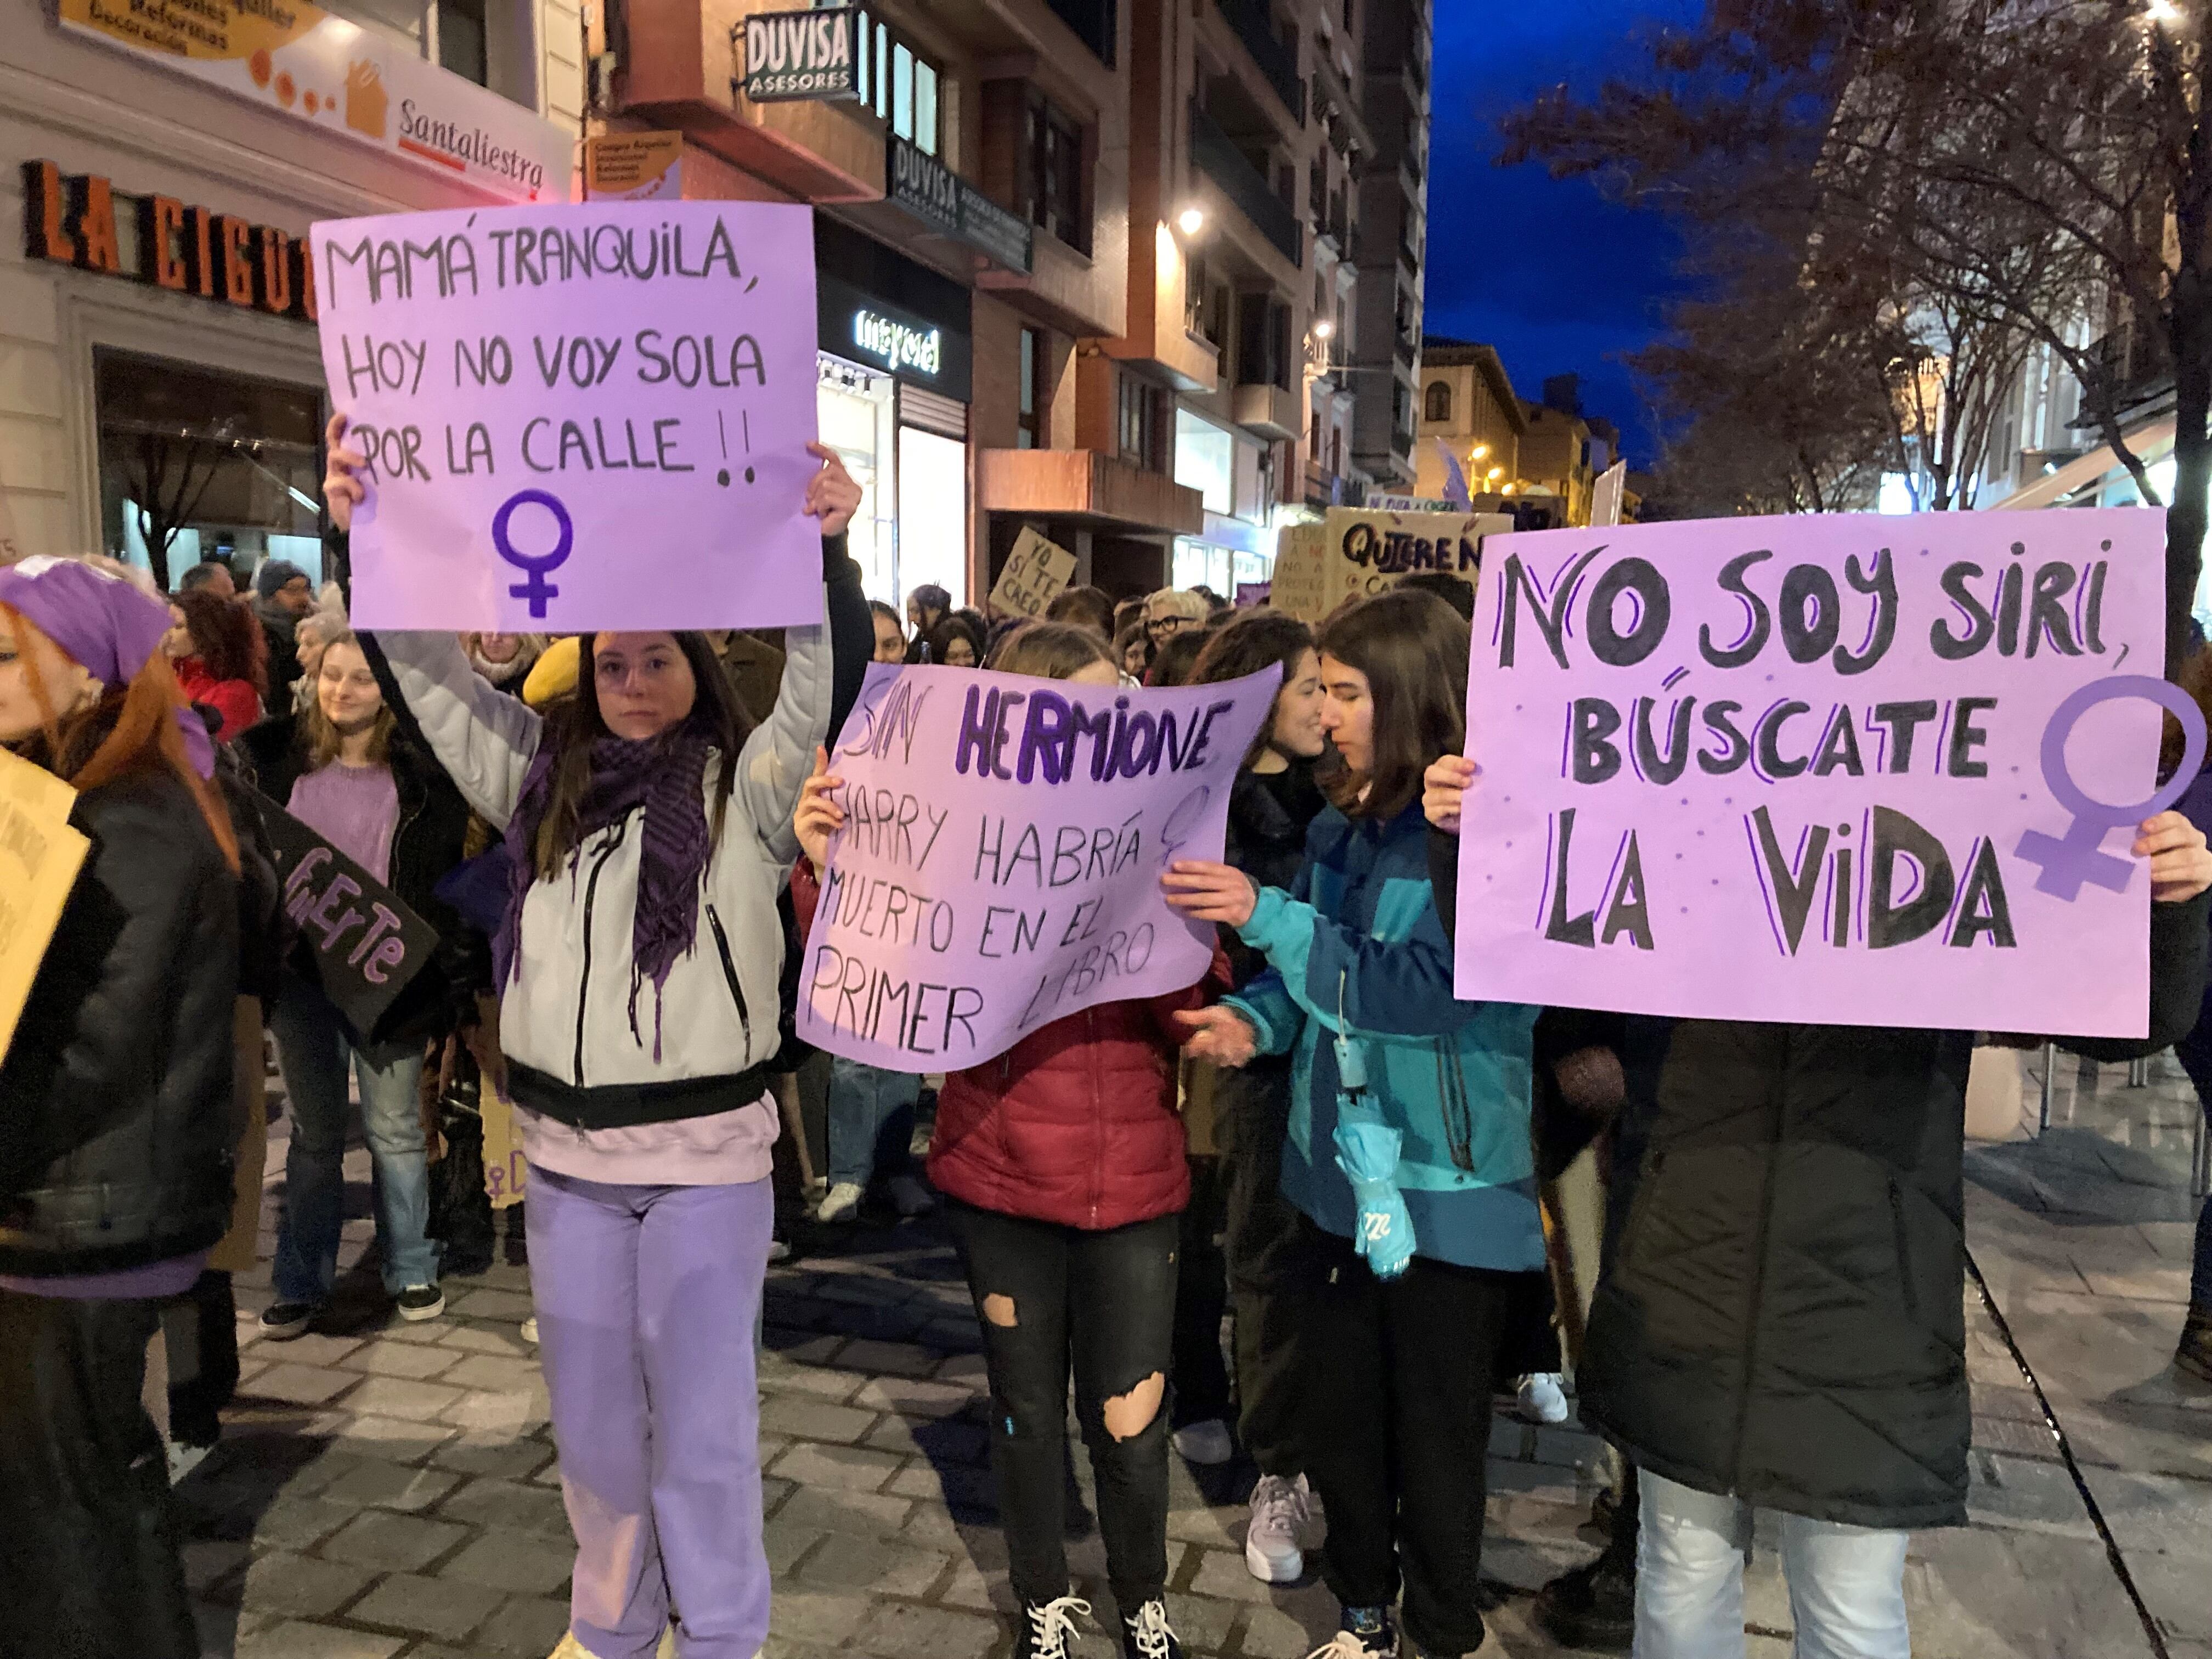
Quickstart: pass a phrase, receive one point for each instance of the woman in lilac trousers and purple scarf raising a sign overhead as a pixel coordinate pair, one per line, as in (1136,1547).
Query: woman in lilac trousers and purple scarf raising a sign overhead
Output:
(638,977)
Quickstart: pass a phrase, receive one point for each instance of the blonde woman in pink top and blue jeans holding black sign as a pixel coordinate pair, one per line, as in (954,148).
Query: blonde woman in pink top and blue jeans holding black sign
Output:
(346,773)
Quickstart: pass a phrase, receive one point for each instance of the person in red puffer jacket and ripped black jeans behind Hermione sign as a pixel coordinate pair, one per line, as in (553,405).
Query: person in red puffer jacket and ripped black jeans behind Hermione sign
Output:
(1063,1165)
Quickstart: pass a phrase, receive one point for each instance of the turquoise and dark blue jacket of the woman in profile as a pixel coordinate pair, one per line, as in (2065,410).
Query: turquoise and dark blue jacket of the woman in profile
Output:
(1359,932)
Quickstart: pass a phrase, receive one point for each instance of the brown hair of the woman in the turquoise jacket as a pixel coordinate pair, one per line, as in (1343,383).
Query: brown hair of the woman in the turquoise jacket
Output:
(1412,647)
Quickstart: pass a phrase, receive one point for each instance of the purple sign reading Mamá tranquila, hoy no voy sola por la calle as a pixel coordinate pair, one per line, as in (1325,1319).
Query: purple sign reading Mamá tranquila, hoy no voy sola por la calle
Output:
(578,417)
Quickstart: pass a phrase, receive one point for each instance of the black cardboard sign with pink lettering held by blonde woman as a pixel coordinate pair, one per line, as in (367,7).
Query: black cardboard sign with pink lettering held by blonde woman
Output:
(355,937)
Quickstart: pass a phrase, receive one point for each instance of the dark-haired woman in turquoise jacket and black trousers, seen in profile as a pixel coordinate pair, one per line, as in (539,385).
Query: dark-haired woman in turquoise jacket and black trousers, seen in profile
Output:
(1408,1149)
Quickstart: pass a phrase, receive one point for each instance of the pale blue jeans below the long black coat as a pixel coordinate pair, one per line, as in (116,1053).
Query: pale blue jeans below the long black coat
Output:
(1846,1583)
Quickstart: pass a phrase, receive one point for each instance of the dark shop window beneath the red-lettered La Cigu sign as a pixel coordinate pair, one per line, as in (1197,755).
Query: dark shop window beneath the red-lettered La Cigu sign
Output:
(198,463)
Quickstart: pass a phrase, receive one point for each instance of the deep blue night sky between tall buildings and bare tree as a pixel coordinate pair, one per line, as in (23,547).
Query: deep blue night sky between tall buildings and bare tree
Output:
(1550,273)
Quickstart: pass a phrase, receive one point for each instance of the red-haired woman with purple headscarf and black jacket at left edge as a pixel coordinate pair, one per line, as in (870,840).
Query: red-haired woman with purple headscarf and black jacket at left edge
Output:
(116,1116)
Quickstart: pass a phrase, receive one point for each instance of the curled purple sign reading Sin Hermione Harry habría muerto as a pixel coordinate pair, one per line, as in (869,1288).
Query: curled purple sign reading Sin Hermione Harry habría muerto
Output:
(1001,857)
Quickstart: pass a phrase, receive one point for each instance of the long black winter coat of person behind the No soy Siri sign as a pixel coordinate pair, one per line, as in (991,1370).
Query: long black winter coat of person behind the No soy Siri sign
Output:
(1782,1313)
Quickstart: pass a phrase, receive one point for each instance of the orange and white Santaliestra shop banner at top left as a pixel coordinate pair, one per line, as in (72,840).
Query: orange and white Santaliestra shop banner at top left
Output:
(300,61)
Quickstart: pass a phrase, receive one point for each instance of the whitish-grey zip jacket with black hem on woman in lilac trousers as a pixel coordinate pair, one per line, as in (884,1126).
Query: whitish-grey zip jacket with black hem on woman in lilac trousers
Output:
(565,1016)
